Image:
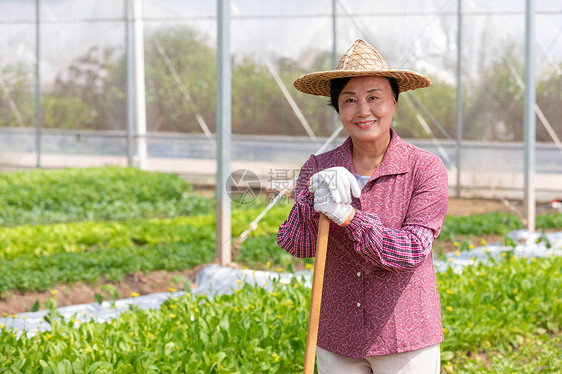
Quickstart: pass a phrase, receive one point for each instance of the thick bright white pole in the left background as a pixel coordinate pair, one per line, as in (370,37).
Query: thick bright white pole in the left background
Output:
(140,96)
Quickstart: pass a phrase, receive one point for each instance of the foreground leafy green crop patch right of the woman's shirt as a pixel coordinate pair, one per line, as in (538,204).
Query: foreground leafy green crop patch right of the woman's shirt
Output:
(500,307)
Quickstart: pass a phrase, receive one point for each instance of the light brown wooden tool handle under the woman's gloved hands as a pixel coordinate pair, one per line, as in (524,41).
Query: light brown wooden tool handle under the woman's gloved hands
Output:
(316,297)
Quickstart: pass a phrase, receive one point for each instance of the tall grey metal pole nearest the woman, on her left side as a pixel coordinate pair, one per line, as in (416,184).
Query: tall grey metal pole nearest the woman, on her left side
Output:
(223,125)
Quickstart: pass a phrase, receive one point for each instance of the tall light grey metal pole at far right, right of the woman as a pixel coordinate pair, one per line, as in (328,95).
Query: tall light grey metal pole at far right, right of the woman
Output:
(529,116)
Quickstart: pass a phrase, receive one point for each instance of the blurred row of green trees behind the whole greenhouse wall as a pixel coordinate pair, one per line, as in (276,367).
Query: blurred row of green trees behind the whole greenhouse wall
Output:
(180,63)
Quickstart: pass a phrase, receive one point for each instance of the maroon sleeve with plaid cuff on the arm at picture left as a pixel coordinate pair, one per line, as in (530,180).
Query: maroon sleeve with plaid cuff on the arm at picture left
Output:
(298,234)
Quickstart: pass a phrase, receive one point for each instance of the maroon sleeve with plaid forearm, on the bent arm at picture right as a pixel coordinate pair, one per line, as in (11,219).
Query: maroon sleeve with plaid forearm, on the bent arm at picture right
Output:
(405,248)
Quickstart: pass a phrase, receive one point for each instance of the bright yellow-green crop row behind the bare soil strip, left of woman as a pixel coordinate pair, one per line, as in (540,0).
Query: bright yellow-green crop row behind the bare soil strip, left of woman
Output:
(33,258)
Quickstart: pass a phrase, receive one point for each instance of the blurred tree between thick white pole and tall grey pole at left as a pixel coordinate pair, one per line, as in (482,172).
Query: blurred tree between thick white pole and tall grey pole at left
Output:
(180,66)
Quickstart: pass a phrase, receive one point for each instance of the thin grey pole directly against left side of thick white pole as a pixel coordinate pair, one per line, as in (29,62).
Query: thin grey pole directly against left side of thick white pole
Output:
(130,84)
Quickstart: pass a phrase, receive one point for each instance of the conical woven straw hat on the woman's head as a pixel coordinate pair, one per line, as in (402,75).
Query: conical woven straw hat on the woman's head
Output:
(360,60)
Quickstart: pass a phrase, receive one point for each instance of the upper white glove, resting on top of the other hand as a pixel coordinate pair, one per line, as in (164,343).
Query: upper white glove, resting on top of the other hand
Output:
(339,181)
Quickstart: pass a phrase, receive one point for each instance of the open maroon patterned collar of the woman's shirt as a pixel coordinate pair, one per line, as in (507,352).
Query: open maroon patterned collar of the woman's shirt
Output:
(395,160)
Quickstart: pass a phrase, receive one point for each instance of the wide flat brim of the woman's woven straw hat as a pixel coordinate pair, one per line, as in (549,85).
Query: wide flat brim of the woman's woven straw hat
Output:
(318,83)
